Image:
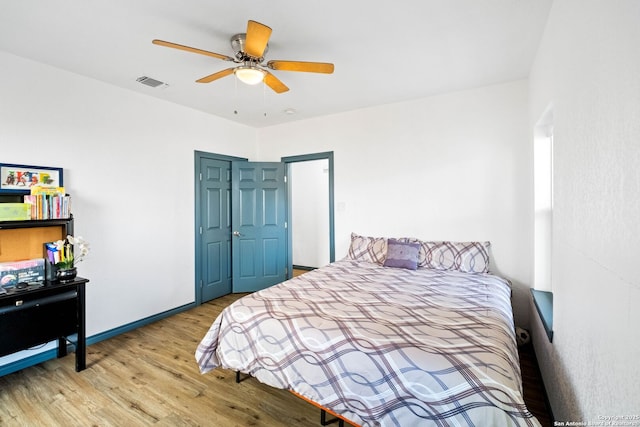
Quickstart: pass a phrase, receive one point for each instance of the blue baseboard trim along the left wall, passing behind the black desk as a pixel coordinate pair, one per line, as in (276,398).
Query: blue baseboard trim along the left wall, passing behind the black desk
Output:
(50,354)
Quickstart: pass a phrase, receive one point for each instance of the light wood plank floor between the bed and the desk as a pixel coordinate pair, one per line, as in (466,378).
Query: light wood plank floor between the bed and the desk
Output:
(148,377)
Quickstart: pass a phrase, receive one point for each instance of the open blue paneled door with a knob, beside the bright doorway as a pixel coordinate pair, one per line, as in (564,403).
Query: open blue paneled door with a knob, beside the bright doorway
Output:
(259,236)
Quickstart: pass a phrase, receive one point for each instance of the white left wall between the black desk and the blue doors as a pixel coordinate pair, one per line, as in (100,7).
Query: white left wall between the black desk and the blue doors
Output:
(128,163)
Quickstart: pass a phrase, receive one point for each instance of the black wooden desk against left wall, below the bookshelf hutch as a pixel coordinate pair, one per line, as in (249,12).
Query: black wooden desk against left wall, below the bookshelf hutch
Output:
(37,315)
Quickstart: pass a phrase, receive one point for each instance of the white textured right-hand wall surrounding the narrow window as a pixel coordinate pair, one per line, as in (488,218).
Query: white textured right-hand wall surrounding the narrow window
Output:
(588,68)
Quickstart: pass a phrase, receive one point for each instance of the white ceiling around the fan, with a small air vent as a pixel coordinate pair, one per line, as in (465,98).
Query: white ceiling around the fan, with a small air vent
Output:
(383,52)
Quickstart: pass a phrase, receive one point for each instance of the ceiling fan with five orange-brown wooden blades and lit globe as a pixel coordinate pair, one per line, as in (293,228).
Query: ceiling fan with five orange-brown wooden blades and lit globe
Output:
(250,48)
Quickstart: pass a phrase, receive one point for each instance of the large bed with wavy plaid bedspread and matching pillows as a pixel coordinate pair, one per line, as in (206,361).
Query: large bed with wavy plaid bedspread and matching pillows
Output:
(381,344)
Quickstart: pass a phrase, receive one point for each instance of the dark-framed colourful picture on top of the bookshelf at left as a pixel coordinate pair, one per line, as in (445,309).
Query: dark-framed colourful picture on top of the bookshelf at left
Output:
(18,179)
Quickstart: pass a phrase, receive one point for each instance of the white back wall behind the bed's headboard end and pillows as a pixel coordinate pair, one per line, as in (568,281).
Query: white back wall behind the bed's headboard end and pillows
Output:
(452,167)
